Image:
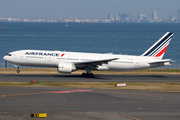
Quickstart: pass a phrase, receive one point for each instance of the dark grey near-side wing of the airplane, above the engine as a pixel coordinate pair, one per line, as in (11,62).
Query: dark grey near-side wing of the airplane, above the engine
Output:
(95,62)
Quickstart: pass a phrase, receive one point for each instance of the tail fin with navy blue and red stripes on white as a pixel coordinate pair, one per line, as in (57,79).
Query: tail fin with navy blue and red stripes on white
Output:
(159,48)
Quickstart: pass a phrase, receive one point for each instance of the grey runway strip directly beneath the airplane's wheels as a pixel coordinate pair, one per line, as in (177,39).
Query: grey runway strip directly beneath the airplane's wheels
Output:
(96,78)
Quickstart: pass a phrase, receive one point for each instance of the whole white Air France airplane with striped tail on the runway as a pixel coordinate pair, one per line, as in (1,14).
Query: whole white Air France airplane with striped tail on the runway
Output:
(67,62)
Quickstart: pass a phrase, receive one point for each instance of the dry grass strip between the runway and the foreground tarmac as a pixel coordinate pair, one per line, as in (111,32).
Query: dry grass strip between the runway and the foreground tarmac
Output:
(145,86)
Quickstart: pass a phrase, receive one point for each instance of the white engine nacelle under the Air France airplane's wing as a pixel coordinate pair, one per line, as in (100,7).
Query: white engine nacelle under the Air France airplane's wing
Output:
(66,67)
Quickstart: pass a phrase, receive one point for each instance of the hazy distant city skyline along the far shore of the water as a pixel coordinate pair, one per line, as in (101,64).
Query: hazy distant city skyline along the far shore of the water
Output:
(117,18)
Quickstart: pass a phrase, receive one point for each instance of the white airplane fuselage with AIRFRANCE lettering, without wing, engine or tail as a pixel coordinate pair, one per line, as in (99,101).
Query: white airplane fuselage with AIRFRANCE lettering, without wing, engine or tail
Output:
(43,58)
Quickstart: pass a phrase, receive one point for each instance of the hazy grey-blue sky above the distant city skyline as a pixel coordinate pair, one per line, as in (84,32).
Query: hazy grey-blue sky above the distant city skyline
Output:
(86,9)
